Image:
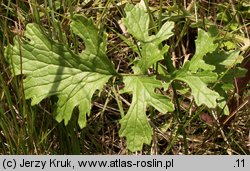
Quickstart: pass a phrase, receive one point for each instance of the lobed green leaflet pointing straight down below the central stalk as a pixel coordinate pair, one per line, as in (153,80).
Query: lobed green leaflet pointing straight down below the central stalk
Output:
(134,125)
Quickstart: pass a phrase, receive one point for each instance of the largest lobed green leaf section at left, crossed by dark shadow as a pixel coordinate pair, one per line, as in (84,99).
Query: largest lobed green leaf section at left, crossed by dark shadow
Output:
(51,68)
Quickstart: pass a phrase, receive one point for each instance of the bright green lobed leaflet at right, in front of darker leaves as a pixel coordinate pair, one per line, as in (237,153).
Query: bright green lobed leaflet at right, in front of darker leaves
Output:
(197,73)
